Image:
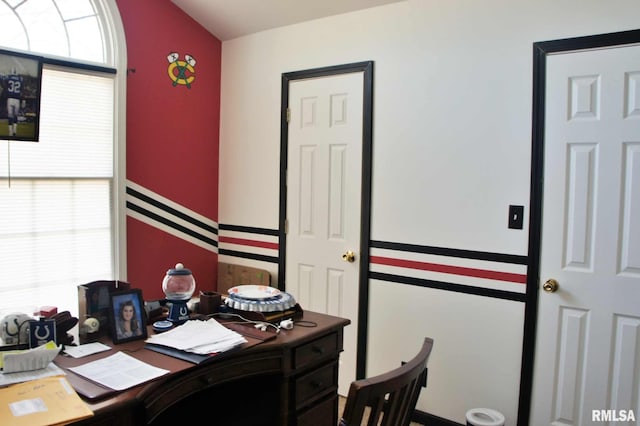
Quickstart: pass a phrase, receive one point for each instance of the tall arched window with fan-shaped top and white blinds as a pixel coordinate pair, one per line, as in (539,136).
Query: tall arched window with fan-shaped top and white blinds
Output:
(61,223)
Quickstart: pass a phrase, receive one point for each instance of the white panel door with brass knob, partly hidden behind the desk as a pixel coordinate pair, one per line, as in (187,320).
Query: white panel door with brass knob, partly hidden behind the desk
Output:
(324,201)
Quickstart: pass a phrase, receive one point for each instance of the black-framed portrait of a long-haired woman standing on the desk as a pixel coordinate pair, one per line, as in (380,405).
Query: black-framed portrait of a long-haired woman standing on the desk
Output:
(127,316)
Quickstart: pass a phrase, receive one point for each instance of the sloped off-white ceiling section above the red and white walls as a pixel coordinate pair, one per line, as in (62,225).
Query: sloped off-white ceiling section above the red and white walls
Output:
(228,19)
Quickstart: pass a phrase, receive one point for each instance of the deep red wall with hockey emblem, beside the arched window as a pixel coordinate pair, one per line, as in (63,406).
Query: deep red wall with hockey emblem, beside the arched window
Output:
(172,137)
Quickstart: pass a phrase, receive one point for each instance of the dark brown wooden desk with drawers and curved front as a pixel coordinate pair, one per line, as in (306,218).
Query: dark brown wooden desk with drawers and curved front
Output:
(290,380)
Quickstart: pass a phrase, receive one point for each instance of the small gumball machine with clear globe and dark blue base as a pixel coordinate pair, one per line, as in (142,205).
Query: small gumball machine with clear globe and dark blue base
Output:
(178,286)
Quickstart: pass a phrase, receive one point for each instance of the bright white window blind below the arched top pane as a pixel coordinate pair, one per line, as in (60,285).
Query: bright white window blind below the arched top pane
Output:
(56,209)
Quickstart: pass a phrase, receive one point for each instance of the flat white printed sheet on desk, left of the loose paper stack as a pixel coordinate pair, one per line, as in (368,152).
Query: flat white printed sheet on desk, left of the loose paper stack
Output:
(119,371)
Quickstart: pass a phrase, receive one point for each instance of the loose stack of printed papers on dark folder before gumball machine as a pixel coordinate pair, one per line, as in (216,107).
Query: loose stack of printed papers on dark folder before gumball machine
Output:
(199,337)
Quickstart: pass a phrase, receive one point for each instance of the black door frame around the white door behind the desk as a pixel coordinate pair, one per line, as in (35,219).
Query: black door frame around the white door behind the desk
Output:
(365,216)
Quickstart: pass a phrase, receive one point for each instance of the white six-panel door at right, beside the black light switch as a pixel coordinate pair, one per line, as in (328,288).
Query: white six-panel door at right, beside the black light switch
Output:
(587,360)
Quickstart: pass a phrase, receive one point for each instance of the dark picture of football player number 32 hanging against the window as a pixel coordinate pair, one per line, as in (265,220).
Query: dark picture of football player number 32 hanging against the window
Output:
(20,85)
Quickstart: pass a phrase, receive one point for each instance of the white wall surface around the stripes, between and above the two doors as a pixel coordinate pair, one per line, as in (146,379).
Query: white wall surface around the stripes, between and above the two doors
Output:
(452,137)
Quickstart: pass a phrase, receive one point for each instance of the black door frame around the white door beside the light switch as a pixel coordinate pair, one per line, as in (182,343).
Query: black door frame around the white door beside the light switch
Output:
(540,52)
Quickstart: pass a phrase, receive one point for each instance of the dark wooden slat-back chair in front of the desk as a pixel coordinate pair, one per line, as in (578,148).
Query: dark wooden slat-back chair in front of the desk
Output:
(392,396)
